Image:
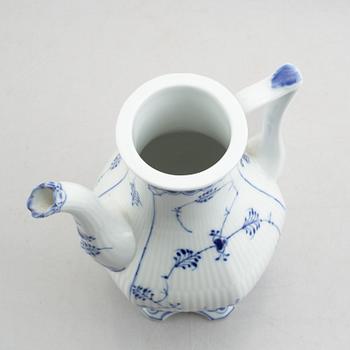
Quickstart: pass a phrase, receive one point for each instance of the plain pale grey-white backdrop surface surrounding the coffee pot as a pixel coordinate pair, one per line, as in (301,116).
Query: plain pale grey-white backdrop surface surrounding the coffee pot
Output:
(65,69)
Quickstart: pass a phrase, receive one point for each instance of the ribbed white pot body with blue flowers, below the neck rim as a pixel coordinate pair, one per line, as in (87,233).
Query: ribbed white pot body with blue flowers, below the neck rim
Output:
(201,249)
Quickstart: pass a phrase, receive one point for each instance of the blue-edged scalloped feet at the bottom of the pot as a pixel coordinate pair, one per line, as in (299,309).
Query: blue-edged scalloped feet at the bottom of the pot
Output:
(160,315)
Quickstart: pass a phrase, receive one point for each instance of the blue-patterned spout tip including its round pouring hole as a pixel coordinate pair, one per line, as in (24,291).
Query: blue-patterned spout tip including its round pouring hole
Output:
(46,199)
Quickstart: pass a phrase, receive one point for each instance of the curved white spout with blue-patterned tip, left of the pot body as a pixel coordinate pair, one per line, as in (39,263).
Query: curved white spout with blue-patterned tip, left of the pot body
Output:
(105,237)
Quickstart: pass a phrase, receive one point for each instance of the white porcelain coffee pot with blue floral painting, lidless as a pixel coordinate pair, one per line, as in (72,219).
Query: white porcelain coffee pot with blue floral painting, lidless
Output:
(194,242)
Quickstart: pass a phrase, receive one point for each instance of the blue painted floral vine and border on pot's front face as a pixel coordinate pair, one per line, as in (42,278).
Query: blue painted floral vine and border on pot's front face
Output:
(188,259)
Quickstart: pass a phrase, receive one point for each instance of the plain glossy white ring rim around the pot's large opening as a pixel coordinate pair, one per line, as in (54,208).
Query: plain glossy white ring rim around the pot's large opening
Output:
(233,113)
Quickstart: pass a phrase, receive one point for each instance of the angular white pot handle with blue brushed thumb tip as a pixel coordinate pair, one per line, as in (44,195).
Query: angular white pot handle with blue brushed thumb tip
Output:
(274,93)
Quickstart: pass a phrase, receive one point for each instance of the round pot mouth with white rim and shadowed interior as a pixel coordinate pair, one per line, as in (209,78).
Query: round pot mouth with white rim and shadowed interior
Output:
(181,132)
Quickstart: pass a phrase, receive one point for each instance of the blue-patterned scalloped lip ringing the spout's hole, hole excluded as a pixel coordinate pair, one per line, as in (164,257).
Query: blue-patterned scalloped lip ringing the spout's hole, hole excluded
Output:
(59,197)
